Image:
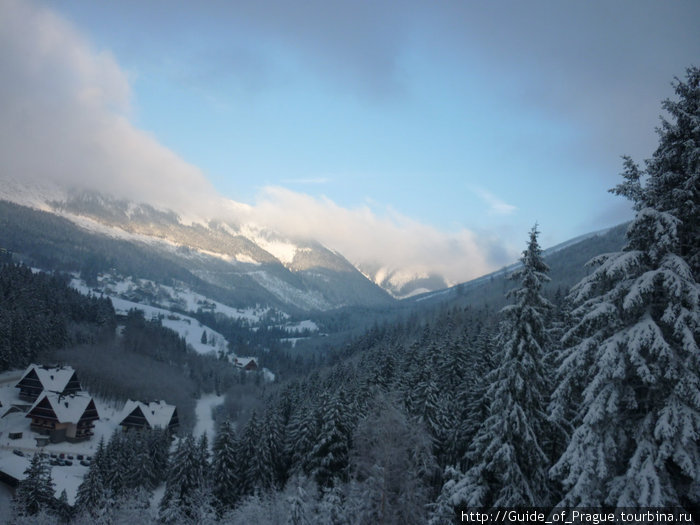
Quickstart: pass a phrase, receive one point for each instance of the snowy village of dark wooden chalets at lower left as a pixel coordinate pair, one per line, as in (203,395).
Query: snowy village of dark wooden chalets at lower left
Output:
(45,410)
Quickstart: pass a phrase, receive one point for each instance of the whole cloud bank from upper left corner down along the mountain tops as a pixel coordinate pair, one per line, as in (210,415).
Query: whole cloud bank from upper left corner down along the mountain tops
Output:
(65,110)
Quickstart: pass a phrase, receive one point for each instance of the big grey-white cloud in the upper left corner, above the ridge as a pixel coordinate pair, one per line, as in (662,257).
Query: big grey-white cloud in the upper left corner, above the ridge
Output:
(65,111)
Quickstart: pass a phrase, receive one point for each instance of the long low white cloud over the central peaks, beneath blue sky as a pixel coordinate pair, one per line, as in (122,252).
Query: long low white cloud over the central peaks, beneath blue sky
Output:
(366,237)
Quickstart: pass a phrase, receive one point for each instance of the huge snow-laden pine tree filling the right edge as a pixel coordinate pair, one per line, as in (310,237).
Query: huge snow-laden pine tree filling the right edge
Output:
(632,366)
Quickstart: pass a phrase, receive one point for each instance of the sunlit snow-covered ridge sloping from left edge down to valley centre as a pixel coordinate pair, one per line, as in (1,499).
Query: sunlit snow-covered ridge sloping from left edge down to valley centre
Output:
(269,268)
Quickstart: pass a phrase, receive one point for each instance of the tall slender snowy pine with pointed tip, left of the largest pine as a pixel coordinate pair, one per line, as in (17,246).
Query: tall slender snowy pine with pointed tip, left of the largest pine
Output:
(508,465)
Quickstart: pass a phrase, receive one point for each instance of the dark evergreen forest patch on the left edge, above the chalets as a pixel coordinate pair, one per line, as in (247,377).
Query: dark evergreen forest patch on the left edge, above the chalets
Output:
(39,312)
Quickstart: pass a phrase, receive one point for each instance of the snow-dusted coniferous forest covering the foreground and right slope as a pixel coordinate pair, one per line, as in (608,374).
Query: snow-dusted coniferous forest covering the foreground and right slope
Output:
(589,400)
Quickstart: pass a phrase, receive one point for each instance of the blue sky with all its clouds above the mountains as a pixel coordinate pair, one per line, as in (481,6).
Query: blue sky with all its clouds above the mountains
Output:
(420,135)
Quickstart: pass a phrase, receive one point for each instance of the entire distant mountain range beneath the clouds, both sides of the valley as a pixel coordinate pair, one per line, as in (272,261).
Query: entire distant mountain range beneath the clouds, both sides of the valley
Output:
(240,265)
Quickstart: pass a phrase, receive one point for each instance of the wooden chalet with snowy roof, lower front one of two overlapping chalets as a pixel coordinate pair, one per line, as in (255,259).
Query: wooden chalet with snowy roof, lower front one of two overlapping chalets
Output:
(64,417)
